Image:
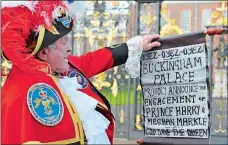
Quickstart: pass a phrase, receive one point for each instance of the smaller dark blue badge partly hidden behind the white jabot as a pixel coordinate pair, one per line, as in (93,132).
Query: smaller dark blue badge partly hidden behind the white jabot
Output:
(81,79)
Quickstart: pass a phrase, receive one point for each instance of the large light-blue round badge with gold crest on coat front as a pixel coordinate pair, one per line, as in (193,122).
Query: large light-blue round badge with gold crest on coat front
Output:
(45,104)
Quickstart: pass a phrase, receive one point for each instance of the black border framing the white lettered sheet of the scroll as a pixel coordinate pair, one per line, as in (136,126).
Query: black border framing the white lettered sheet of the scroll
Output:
(181,41)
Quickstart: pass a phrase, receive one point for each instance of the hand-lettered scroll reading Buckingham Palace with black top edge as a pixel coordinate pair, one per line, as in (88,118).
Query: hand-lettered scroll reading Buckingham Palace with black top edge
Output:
(175,85)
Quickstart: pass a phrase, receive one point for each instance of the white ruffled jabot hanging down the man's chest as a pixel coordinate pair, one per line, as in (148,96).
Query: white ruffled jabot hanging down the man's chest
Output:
(94,123)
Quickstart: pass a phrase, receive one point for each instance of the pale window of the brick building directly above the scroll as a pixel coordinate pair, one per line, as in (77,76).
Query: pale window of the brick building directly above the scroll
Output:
(186,20)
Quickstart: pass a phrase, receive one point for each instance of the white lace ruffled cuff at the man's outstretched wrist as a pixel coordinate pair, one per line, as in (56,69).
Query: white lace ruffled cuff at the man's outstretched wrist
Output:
(135,49)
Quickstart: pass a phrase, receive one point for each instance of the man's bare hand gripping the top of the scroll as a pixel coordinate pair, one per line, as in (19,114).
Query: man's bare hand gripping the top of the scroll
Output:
(148,41)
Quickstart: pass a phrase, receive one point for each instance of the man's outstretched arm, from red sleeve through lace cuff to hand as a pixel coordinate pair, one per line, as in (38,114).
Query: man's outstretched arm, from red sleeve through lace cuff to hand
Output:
(105,58)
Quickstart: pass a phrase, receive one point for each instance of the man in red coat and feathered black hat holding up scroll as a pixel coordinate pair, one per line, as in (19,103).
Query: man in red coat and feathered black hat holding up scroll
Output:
(47,97)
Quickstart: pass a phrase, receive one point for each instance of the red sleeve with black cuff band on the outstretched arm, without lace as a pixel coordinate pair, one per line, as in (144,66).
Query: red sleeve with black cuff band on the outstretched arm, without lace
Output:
(100,60)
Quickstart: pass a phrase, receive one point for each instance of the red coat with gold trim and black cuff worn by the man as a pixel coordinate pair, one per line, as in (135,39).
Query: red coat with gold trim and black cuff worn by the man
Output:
(18,124)
